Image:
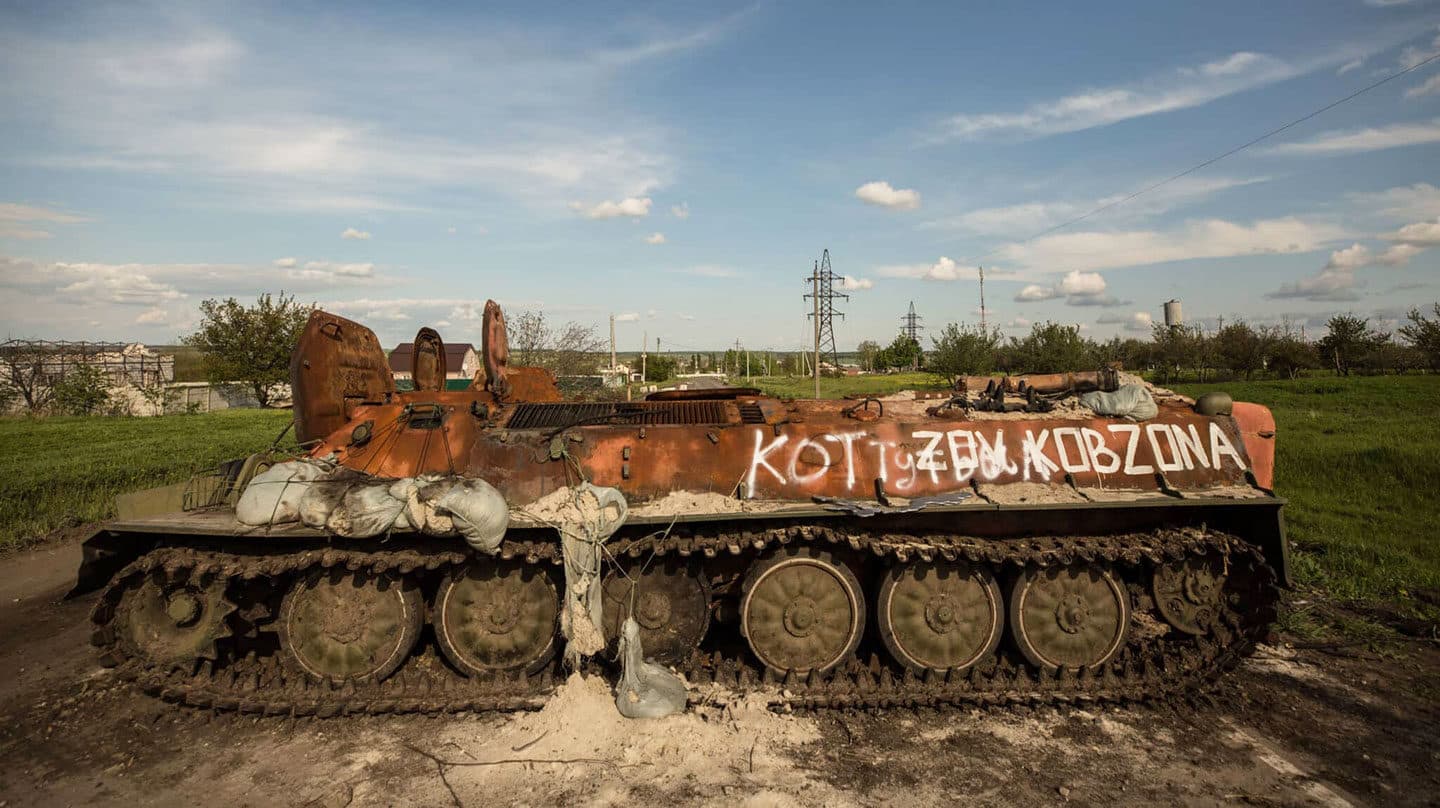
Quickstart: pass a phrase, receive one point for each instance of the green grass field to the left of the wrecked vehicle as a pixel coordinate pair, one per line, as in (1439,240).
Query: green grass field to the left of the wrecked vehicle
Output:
(57,472)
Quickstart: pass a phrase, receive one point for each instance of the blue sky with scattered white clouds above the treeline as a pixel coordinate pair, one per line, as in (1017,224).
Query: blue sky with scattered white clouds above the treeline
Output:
(682,166)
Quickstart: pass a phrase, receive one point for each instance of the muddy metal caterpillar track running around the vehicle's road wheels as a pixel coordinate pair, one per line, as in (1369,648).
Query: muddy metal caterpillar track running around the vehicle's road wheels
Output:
(1146,669)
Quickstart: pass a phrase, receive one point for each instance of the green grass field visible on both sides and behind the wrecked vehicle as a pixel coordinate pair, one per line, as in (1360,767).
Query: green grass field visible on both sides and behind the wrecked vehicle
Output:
(1359,460)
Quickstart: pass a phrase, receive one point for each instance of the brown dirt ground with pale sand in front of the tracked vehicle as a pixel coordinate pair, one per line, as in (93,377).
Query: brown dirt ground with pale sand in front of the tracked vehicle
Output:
(1292,730)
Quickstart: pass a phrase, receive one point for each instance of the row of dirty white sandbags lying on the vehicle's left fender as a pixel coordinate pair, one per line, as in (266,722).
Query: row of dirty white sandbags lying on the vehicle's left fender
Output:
(351,503)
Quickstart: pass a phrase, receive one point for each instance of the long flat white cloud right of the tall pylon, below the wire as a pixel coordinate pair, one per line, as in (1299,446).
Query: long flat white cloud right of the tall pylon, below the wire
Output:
(1209,238)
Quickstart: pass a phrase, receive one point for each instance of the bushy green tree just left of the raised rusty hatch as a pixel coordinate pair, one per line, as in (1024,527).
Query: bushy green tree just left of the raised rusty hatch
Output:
(250,346)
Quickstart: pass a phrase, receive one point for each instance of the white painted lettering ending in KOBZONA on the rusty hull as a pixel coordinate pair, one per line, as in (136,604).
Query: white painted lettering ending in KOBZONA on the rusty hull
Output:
(909,459)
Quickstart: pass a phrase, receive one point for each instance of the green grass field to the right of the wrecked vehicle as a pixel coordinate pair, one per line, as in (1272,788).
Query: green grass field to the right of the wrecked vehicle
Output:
(1360,463)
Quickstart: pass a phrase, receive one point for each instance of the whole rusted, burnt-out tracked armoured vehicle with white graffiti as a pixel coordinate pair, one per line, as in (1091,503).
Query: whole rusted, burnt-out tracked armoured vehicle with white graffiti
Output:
(1020,539)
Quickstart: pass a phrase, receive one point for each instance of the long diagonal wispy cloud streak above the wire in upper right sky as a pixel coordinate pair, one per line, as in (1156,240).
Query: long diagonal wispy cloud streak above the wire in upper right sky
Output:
(1098,107)
